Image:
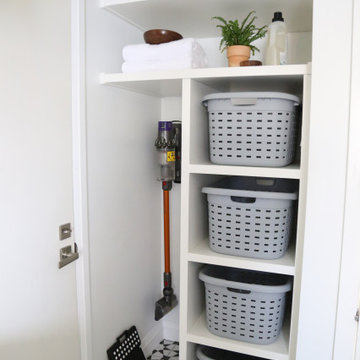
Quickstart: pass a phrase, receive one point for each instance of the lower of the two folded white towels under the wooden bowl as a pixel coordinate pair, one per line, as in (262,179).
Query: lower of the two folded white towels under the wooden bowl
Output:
(185,63)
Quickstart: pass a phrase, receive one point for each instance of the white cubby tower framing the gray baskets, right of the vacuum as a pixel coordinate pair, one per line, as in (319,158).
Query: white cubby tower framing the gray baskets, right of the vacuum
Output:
(199,172)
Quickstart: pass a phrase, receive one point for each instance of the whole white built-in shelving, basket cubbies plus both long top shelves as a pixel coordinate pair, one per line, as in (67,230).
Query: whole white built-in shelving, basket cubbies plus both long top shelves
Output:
(197,171)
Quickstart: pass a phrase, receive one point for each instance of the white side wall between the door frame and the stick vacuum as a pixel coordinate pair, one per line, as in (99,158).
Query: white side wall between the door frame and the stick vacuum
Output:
(123,193)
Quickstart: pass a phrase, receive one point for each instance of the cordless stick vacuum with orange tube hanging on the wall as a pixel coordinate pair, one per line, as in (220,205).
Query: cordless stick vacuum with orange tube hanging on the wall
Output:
(166,146)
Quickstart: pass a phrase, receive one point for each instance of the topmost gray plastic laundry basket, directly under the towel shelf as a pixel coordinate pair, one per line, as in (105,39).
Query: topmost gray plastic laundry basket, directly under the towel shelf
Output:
(252,128)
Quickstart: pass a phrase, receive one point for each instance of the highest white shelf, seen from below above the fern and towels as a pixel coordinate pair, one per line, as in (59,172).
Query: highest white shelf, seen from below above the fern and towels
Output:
(193,18)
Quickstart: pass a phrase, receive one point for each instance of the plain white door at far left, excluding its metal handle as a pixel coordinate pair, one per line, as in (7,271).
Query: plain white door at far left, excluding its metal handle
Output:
(38,304)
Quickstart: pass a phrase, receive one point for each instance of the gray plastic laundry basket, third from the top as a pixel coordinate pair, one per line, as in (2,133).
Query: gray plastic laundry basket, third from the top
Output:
(244,305)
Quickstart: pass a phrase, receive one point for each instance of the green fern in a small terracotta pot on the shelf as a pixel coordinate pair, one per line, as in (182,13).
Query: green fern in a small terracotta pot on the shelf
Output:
(237,38)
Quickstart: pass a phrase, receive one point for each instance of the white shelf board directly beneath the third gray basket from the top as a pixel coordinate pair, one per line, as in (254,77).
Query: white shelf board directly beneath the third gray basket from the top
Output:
(199,334)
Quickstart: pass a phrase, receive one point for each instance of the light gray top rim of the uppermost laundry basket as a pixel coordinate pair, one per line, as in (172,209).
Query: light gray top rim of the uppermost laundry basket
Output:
(253,95)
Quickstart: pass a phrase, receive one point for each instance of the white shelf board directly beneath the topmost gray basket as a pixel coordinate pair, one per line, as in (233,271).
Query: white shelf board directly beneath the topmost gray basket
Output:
(288,172)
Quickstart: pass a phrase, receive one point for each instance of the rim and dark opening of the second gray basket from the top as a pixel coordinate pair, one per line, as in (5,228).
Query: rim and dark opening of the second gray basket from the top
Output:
(267,188)
